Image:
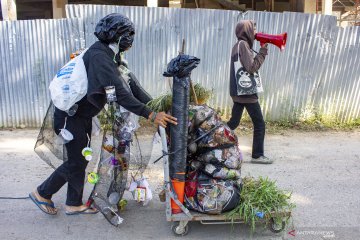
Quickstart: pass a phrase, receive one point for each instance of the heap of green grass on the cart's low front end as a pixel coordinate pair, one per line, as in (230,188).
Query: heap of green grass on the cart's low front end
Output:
(261,195)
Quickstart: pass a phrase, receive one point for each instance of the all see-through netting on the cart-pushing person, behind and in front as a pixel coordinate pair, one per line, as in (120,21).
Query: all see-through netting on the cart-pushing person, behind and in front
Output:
(122,150)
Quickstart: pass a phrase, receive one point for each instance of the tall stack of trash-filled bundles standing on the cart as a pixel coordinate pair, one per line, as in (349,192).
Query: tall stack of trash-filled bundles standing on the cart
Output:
(213,181)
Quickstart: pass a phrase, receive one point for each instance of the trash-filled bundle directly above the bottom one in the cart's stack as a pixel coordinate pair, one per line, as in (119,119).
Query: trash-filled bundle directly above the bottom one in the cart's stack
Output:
(227,157)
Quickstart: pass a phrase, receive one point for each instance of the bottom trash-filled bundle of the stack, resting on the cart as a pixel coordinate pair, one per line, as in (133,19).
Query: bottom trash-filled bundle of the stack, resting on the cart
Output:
(211,196)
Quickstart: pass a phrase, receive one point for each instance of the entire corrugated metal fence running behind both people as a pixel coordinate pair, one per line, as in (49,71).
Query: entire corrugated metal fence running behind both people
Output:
(317,73)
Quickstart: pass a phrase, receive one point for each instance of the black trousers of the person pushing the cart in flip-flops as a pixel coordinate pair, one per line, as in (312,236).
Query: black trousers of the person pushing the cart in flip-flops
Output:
(71,171)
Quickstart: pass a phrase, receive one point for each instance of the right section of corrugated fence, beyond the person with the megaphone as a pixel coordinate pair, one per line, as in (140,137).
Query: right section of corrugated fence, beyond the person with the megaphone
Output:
(318,74)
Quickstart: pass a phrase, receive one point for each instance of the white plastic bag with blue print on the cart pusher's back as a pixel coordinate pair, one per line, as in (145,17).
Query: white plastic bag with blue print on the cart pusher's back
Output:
(70,84)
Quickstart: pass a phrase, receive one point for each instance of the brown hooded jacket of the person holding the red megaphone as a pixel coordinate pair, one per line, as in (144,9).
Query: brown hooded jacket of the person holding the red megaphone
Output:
(245,33)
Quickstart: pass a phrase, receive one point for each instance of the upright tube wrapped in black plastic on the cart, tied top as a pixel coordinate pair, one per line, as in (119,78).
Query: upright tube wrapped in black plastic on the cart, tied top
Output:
(180,68)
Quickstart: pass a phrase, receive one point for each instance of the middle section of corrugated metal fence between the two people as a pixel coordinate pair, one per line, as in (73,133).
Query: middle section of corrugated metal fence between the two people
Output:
(208,34)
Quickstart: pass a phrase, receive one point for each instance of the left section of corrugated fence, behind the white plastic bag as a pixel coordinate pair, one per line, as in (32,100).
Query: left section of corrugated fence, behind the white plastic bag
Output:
(31,53)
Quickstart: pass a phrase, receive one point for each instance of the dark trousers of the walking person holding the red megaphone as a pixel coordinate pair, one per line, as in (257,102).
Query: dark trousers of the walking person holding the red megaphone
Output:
(256,116)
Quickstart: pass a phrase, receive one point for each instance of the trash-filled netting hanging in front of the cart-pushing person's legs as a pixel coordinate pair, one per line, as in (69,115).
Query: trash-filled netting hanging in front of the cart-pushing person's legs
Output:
(123,152)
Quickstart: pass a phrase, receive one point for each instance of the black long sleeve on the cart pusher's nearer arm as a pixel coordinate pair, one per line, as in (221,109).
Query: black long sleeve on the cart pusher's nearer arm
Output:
(107,74)
